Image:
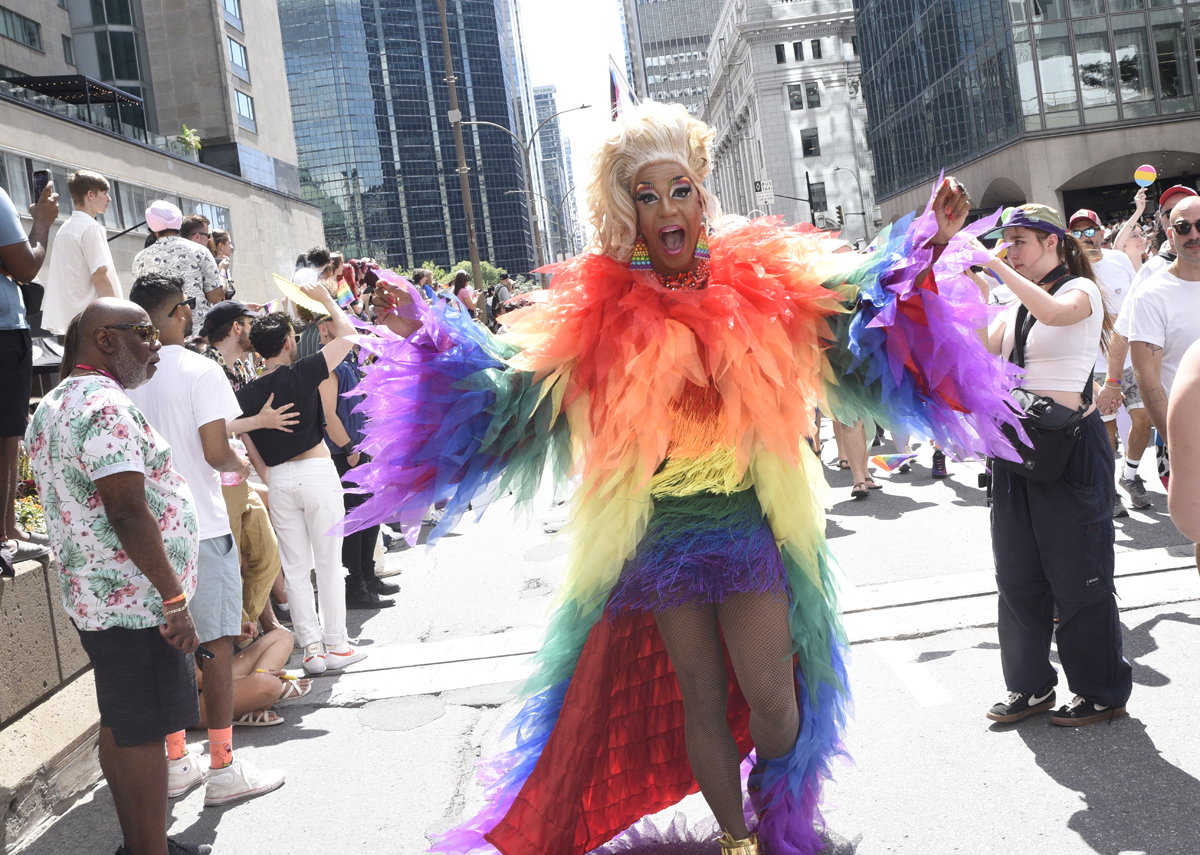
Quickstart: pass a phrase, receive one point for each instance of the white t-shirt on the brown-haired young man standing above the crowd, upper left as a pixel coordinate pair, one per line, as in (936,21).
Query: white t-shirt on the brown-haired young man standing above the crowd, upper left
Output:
(79,250)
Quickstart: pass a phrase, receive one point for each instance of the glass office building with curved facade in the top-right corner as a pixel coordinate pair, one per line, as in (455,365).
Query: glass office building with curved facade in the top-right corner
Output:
(952,81)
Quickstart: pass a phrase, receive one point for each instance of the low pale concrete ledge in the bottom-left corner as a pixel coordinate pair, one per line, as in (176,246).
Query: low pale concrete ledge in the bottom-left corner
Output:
(47,761)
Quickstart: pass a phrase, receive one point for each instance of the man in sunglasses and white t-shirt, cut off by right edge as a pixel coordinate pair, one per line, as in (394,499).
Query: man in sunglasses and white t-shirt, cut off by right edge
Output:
(1165,319)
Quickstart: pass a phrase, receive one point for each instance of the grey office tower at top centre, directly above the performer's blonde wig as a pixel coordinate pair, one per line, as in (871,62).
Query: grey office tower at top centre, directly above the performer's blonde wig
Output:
(669,45)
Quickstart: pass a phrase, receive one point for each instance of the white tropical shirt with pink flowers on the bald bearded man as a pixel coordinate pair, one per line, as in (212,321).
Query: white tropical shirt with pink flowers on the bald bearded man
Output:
(86,431)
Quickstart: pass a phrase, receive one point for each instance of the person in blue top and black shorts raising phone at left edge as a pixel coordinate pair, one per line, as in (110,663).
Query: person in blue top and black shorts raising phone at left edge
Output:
(21,259)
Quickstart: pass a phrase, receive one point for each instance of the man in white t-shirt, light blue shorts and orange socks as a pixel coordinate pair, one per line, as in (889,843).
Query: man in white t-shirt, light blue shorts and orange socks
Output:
(190,403)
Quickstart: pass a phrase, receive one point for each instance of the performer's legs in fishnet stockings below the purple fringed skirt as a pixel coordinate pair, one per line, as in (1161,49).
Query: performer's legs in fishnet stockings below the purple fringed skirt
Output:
(760,645)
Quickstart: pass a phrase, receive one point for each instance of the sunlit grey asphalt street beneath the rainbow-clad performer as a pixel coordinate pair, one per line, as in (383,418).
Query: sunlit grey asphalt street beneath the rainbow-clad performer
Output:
(382,758)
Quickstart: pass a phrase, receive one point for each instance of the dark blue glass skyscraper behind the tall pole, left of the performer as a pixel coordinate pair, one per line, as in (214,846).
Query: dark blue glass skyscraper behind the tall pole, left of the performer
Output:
(377,151)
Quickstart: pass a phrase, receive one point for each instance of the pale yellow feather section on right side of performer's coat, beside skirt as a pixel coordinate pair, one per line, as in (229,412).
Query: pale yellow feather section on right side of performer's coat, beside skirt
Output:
(795,499)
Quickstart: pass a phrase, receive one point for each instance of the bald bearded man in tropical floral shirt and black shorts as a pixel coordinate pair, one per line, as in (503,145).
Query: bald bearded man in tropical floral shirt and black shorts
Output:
(124,527)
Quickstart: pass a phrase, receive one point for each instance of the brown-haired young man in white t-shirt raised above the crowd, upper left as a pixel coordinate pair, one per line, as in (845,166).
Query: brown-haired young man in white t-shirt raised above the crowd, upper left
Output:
(81,262)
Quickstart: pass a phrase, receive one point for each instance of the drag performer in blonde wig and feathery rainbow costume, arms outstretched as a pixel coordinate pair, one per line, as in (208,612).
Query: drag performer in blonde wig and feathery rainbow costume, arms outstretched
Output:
(676,373)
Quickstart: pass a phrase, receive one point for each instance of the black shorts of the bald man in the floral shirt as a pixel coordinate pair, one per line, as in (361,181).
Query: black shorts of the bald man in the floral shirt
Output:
(145,687)
